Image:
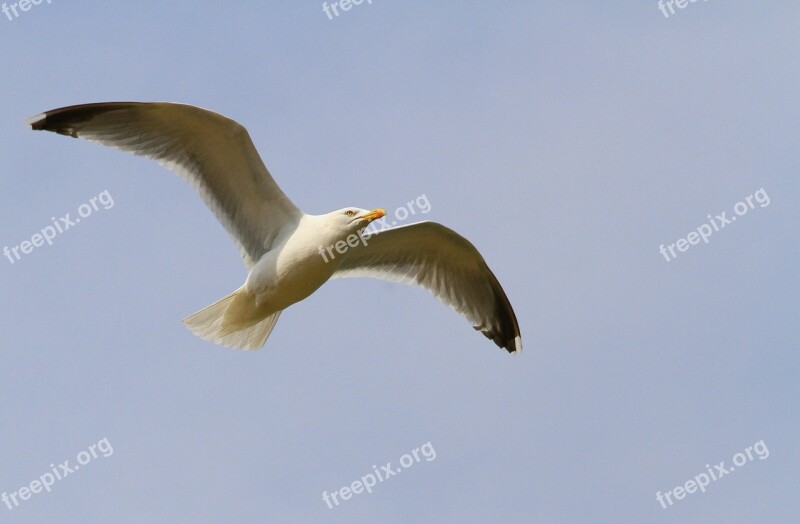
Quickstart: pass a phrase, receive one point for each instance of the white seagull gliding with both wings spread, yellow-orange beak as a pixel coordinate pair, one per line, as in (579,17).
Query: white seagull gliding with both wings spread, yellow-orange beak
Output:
(283,247)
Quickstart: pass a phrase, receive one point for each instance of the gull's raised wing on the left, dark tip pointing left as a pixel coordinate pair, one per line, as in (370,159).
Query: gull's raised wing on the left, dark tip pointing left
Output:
(211,152)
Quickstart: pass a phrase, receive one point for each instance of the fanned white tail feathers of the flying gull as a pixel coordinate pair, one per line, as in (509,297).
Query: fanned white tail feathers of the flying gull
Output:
(234,322)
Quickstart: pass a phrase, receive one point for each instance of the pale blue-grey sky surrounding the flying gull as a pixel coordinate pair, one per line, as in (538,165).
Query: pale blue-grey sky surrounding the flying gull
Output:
(566,140)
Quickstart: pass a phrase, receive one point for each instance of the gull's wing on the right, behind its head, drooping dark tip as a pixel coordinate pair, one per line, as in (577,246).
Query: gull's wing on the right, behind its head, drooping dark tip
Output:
(446,264)
